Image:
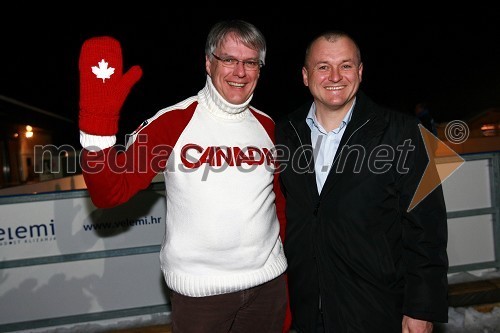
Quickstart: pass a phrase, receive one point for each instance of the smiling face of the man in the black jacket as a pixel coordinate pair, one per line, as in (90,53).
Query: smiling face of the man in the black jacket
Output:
(333,73)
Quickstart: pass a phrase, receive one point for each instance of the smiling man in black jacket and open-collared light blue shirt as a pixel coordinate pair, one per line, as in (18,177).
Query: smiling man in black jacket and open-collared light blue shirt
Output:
(360,257)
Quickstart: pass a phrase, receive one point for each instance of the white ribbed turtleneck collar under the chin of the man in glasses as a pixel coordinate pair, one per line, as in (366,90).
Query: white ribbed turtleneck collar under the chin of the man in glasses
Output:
(218,106)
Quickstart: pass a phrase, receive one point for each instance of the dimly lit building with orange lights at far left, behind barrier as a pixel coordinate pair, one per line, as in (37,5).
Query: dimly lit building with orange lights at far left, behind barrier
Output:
(35,145)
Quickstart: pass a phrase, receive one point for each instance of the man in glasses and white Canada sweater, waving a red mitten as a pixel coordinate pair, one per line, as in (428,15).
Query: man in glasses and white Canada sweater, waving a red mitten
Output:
(222,255)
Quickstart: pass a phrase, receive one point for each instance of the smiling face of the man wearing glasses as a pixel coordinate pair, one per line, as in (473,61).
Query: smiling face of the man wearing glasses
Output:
(236,84)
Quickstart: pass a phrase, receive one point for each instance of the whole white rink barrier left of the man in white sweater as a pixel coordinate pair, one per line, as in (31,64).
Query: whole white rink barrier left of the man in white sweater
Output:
(62,257)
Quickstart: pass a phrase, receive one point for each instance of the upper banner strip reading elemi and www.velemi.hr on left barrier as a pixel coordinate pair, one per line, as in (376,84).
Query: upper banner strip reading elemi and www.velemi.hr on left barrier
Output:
(75,225)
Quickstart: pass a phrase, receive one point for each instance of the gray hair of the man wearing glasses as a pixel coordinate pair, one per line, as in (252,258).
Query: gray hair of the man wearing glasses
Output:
(245,32)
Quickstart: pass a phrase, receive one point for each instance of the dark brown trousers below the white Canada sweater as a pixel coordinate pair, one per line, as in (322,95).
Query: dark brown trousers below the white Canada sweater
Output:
(259,309)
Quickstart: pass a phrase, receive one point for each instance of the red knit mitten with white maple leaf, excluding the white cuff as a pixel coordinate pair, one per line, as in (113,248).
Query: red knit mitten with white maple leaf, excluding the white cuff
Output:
(103,86)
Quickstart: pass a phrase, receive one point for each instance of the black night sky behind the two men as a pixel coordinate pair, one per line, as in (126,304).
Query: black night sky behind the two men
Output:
(451,61)
